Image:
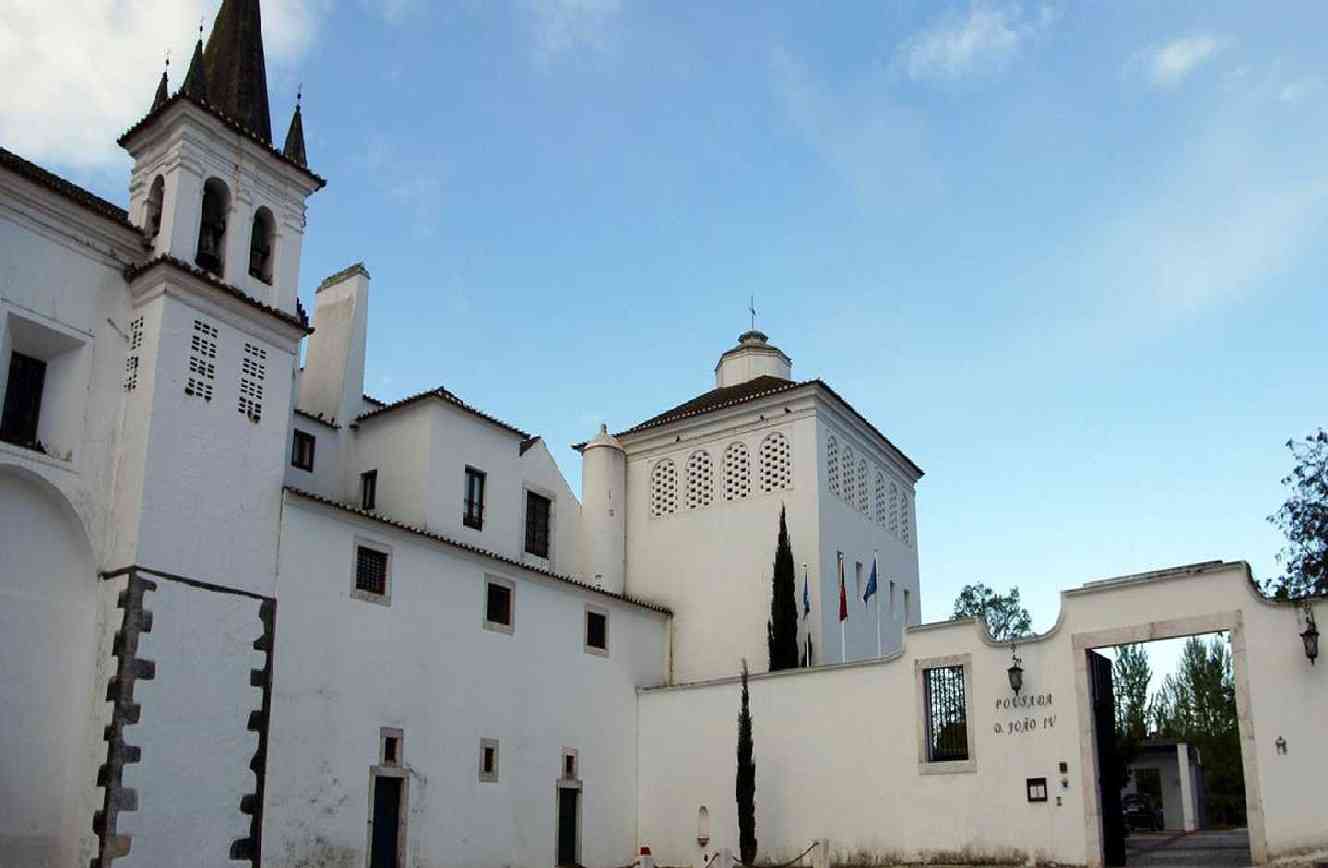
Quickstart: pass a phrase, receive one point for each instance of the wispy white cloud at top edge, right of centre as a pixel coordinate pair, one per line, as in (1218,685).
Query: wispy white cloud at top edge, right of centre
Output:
(983,40)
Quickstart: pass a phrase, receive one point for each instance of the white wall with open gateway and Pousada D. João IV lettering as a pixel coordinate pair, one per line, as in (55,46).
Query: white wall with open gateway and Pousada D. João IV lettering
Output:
(840,749)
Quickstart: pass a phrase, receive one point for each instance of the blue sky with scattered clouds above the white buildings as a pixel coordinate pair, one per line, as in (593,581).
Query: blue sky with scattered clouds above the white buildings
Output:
(1070,258)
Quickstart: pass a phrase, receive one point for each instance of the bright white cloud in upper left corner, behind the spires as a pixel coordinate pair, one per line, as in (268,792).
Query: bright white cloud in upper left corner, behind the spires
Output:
(80,76)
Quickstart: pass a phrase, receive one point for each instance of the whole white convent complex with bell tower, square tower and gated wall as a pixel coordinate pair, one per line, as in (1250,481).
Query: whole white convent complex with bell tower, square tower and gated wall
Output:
(252,615)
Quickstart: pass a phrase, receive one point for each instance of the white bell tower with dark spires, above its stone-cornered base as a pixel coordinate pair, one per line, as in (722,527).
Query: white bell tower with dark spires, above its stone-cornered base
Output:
(216,323)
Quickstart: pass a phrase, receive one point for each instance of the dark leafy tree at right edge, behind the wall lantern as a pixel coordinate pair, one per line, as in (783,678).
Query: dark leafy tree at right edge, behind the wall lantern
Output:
(1305,521)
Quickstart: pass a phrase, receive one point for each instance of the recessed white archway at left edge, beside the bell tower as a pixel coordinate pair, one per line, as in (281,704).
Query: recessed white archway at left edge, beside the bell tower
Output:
(48,648)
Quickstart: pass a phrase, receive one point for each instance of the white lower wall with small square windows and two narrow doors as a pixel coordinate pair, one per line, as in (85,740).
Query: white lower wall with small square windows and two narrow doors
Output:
(426,664)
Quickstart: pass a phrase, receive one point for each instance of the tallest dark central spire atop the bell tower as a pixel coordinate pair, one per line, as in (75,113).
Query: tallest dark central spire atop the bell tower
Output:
(237,76)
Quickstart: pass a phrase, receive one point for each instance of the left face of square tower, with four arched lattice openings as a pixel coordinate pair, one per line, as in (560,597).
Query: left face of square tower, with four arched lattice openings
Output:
(712,566)
